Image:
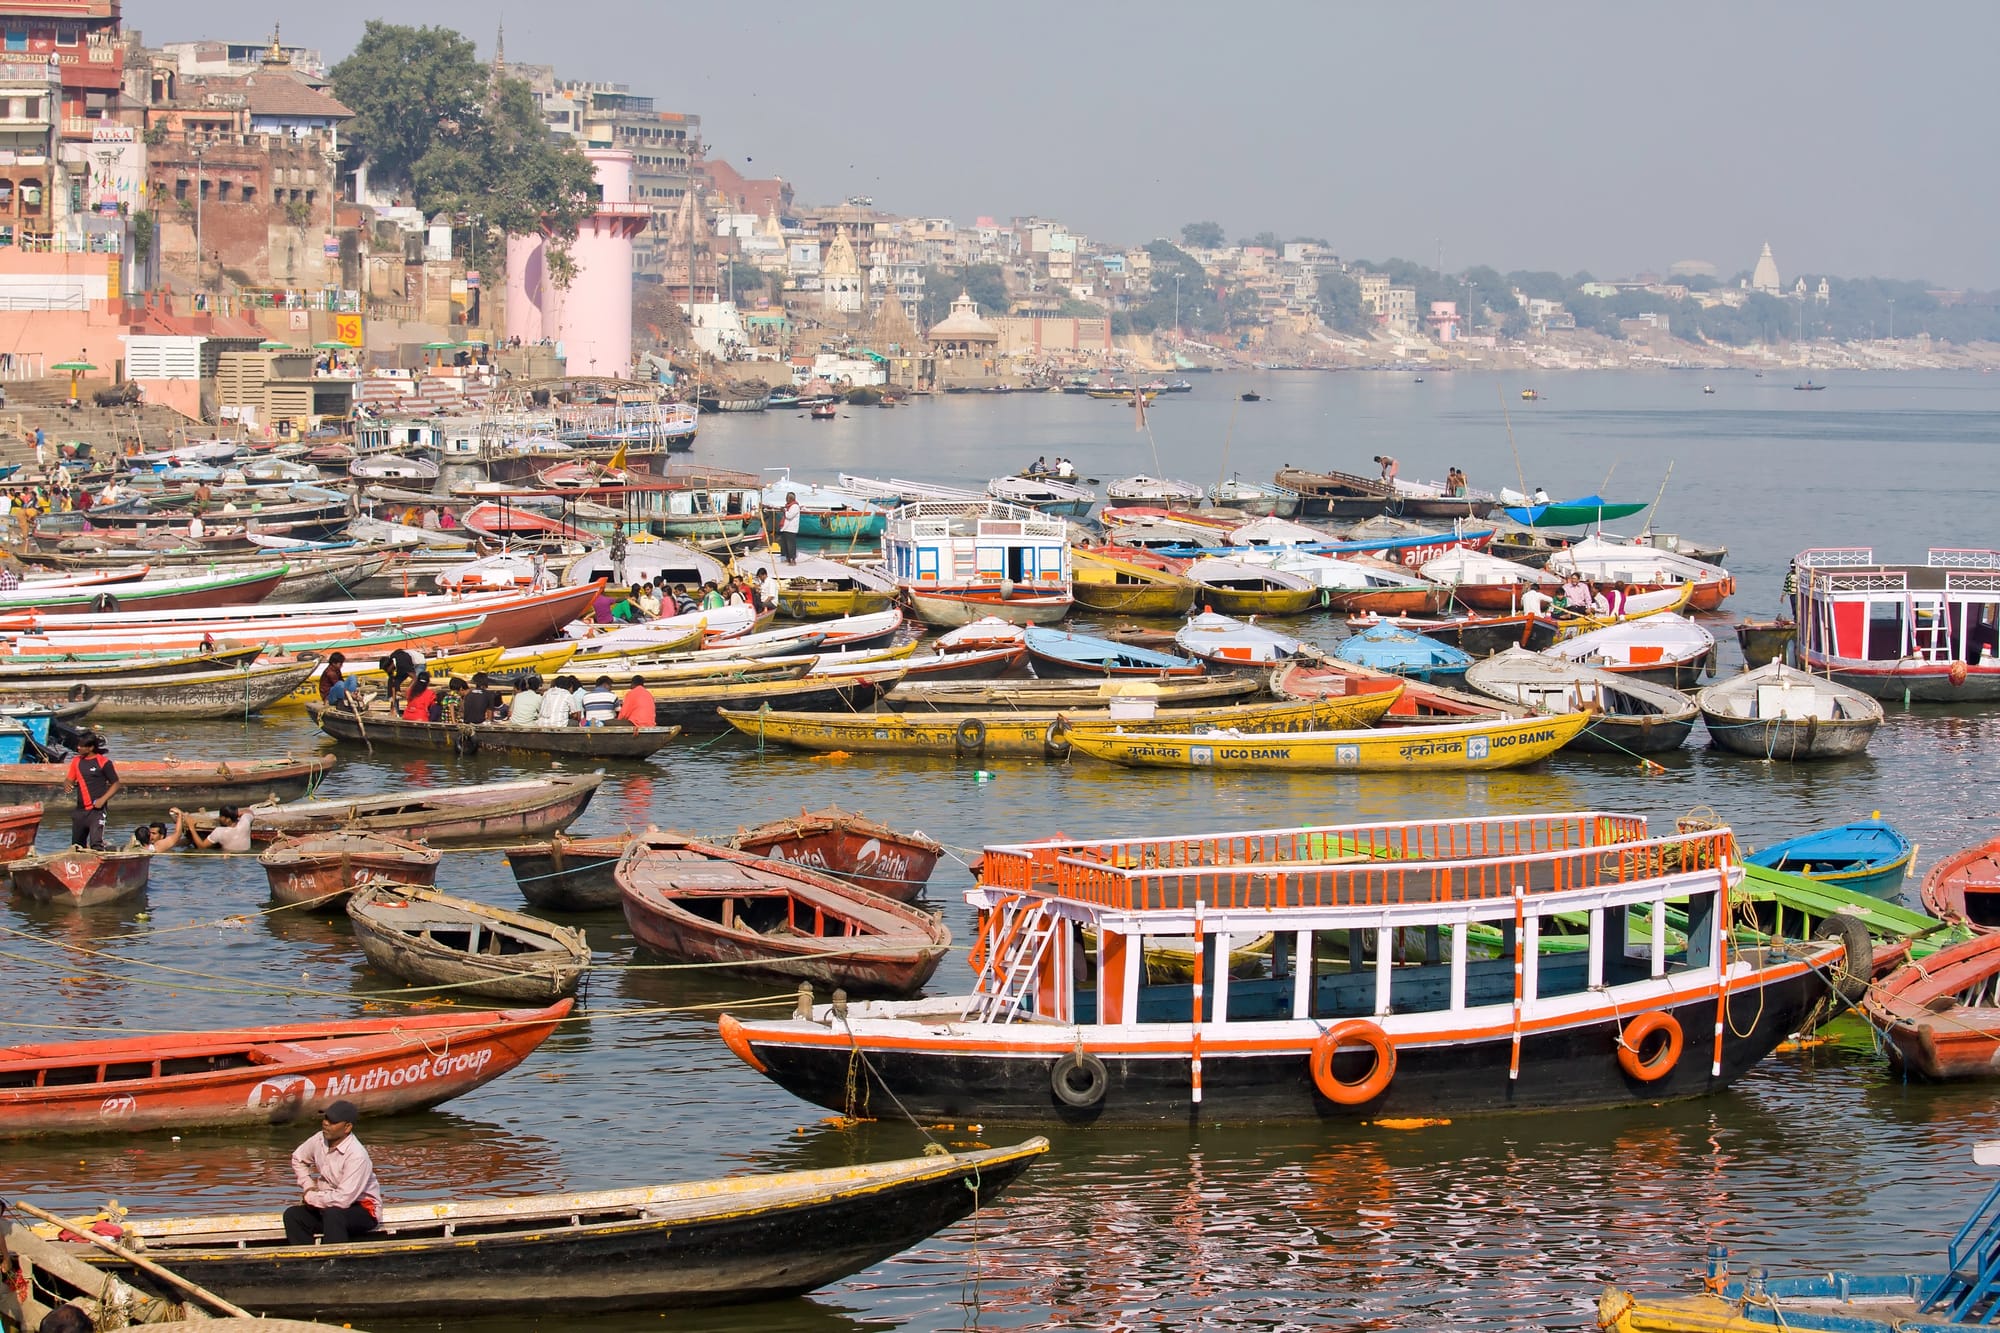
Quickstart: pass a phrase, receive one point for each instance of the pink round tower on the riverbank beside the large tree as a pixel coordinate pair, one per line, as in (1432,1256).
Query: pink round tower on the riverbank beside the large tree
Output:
(593,317)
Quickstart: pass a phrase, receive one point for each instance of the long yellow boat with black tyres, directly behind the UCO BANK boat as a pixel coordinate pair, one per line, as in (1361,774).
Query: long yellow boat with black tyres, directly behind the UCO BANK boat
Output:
(1029,736)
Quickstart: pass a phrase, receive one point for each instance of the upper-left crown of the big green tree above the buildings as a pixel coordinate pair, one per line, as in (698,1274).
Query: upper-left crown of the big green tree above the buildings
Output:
(407,89)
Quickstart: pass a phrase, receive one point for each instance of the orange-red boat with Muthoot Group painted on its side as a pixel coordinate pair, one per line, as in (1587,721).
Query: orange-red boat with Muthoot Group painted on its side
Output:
(261,1076)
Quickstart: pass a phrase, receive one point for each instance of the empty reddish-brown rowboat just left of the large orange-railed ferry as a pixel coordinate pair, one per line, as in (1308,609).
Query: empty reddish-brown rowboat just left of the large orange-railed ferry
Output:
(703,904)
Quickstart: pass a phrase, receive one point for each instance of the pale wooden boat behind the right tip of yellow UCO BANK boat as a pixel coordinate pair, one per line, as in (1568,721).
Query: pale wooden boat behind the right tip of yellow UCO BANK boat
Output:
(1631,718)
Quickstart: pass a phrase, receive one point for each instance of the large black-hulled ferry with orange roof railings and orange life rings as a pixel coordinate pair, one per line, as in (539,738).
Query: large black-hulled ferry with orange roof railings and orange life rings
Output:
(1375,1004)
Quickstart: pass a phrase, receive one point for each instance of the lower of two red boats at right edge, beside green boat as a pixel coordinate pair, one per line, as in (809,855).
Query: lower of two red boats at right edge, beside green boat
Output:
(1941,1018)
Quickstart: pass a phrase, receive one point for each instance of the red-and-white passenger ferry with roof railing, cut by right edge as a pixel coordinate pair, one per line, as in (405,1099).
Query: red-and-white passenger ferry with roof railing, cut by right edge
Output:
(1929,631)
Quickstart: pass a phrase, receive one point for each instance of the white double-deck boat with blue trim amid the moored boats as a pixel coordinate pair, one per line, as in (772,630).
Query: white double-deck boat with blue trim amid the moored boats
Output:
(961,561)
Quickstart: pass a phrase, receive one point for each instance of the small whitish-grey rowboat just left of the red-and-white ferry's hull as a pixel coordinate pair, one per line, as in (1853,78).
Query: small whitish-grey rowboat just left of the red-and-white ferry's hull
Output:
(1779,712)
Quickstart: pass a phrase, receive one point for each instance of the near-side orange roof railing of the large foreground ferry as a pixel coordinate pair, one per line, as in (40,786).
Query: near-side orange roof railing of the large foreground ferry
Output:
(1355,882)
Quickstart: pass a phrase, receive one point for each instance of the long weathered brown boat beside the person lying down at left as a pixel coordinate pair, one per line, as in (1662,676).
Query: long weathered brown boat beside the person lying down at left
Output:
(443,818)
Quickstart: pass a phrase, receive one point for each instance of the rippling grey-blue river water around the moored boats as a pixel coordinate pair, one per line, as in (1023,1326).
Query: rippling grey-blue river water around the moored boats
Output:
(1515,1222)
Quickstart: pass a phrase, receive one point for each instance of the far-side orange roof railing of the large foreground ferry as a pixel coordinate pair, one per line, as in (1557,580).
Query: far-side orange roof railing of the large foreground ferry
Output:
(1029,866)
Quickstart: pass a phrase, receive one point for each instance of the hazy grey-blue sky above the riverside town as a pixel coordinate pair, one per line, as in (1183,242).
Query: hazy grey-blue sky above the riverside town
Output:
(1609,137)
